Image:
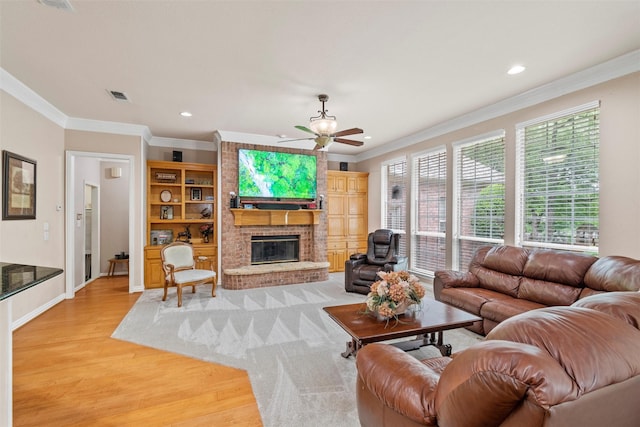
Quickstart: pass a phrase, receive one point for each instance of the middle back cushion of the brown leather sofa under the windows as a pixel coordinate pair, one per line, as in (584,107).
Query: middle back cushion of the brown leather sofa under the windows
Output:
(562,267)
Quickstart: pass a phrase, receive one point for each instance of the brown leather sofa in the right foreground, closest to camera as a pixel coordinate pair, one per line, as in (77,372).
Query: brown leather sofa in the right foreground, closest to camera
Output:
(576,366)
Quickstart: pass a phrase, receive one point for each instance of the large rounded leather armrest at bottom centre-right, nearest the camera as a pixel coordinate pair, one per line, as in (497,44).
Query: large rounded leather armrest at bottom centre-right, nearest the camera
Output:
(496,380)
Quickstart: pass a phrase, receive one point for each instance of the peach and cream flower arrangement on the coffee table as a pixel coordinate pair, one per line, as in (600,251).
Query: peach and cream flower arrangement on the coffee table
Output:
(395,291)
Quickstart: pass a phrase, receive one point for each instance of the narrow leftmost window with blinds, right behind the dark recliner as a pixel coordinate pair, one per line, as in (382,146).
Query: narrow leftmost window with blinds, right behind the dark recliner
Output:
(394,196)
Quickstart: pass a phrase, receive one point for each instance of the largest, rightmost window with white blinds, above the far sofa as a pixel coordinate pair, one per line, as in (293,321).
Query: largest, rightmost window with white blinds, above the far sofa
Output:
(558,169)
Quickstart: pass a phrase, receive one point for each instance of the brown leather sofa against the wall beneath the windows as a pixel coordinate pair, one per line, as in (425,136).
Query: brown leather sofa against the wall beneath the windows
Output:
(503,281)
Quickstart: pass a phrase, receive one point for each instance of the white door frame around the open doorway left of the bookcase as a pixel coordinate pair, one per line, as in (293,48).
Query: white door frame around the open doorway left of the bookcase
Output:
(70,202)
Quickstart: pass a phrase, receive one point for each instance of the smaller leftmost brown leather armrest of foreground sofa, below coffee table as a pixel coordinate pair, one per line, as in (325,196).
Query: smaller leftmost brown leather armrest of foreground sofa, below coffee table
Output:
(398,381)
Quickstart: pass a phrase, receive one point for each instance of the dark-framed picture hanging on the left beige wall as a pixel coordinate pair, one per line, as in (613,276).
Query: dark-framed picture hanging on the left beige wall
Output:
(18,187)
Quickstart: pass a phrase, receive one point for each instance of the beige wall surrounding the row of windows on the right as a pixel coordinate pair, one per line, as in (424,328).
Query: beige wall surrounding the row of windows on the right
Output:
(619,161)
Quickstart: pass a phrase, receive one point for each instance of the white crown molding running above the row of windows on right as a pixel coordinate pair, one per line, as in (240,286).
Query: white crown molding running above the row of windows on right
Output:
(617,67)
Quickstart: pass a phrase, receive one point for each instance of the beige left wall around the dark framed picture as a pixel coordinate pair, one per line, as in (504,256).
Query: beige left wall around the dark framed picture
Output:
(25,132)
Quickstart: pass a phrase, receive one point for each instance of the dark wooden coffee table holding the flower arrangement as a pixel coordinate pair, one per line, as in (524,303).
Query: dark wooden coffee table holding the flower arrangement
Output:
(427,324)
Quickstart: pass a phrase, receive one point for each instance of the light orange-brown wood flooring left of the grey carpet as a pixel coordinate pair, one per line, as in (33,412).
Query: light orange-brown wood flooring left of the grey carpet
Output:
(69,371)
